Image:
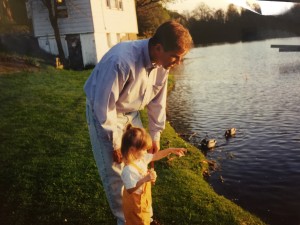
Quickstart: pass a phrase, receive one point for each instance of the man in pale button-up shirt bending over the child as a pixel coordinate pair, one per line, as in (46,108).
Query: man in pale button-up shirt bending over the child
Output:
(130,76)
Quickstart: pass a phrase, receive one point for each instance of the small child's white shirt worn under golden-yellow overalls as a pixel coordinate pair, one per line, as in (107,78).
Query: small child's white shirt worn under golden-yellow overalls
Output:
(130,175)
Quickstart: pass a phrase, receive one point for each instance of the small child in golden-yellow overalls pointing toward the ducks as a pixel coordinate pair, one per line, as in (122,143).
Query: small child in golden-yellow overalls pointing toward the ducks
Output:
(137,200)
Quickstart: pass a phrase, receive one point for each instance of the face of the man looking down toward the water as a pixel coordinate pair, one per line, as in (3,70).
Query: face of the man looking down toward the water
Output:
(168,59)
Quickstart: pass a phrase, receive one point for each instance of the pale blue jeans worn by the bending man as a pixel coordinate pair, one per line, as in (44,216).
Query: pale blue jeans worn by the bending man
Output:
(109,171)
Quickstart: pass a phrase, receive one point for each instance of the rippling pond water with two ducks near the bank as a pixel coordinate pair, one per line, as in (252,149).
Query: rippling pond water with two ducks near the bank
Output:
(255,89)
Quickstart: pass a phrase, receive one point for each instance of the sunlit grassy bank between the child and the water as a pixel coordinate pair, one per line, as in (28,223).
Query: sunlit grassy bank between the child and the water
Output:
(194,193)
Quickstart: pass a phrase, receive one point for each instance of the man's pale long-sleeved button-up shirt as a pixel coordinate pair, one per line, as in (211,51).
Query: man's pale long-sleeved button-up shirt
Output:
(125,81)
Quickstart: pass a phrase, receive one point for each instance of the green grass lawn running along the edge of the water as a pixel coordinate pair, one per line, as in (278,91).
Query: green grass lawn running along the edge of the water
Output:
(47,170)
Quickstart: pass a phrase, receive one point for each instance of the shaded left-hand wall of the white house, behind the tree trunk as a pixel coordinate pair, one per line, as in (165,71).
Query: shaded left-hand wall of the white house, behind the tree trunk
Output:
(79,21)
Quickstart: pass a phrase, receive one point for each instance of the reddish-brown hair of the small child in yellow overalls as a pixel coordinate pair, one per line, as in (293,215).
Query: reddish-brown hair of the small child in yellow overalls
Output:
(134,139)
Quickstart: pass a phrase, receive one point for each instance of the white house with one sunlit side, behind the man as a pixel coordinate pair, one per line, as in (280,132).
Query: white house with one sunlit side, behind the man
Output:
(88,28)
